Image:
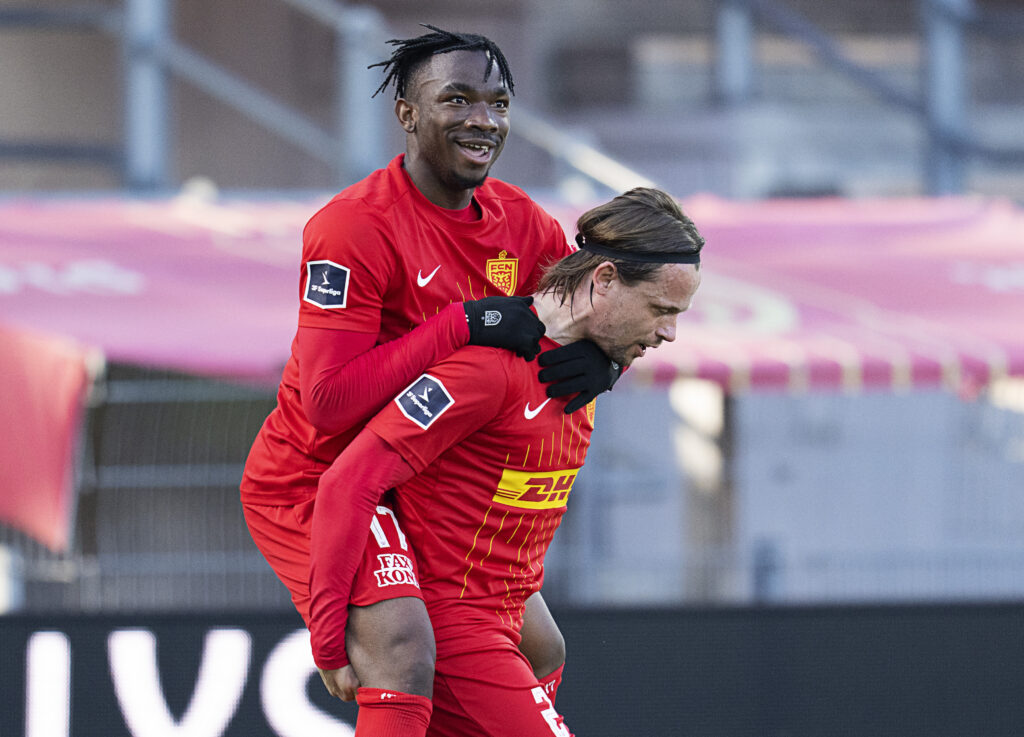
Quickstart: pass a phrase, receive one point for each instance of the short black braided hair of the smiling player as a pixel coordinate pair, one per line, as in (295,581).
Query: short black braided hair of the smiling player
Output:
(409,54)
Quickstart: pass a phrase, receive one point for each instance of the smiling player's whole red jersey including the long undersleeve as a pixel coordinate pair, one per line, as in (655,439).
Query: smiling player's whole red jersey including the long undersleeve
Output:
(378,262)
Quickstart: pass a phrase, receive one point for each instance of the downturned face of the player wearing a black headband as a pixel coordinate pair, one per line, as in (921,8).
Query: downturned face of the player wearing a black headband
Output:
(629,320)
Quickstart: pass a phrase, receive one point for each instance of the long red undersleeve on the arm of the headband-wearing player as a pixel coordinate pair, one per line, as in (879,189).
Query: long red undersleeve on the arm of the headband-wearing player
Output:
(347,501)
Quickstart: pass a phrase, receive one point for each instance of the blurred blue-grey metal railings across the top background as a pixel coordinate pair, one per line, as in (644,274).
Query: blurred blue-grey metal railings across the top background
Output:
(353,148)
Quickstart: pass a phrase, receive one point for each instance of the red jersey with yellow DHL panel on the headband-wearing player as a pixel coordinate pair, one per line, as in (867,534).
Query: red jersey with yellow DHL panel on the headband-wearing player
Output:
(495,460)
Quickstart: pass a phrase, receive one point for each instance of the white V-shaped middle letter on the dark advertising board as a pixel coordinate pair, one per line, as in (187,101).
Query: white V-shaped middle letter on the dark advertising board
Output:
(223,674)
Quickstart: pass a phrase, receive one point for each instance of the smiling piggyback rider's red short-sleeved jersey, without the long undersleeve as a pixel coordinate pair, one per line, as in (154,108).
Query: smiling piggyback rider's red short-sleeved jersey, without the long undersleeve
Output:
(380,259)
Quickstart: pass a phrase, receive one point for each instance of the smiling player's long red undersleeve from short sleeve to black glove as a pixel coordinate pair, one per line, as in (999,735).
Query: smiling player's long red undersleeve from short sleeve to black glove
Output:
(346,380)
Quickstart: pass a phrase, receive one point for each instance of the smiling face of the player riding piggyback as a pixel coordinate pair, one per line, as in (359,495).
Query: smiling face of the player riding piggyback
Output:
(457,124)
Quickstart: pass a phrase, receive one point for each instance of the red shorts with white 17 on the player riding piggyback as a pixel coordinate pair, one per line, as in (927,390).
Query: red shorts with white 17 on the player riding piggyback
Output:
(389,570)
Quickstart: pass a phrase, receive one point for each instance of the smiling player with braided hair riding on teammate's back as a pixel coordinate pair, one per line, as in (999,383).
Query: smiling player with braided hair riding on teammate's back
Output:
(399,272)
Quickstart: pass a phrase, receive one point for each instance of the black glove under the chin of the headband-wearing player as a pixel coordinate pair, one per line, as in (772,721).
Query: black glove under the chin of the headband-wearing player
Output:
(580,367)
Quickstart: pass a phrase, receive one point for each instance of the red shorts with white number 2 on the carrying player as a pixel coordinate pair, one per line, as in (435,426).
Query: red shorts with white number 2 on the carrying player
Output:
(492,693)
